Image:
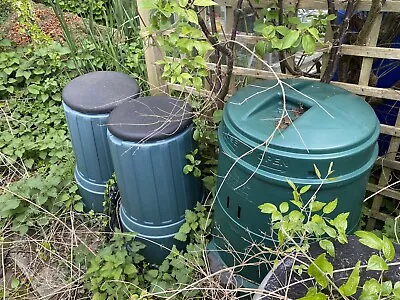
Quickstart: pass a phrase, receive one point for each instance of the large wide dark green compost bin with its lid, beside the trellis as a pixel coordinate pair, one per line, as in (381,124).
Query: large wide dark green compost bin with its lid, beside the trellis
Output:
(331,125)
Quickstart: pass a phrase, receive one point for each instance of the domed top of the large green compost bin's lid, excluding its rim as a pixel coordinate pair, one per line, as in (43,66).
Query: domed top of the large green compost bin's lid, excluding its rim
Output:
(326,119)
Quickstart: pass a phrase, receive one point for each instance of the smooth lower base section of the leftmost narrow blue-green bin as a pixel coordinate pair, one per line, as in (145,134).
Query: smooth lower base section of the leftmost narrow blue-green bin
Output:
(92,193)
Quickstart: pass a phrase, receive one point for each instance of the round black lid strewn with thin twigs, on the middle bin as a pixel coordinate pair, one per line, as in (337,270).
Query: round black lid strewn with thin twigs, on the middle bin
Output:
(149,119)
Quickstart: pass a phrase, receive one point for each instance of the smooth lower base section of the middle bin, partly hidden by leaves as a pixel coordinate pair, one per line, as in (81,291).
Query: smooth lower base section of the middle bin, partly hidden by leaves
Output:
(159,240)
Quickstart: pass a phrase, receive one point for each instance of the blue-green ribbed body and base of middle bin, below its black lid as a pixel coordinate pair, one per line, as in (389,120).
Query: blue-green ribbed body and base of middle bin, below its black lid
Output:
(154,191)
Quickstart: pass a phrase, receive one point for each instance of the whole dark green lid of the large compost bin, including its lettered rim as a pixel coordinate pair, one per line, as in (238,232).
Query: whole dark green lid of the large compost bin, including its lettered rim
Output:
(329,125)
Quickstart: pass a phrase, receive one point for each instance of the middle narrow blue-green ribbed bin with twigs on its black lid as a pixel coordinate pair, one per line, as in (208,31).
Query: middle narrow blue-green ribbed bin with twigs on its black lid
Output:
(149,138)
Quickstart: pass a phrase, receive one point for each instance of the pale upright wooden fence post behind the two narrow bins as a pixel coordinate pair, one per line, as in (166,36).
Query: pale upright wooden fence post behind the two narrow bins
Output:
(151,53)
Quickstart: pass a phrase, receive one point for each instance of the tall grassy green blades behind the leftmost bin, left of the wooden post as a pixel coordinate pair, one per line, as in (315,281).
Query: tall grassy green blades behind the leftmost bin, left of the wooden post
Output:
(114,47)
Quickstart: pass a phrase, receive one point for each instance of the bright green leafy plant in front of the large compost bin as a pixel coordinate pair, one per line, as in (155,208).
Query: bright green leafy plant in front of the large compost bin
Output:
(309,222)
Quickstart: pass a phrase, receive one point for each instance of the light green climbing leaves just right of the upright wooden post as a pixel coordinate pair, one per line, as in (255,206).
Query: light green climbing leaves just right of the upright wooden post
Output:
(184,40)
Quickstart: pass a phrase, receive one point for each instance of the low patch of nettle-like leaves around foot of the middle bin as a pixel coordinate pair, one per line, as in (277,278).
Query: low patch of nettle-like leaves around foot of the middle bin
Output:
(119,271)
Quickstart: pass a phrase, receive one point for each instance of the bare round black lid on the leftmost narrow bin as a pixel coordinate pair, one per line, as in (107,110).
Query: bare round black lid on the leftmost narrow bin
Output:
(99,92)
